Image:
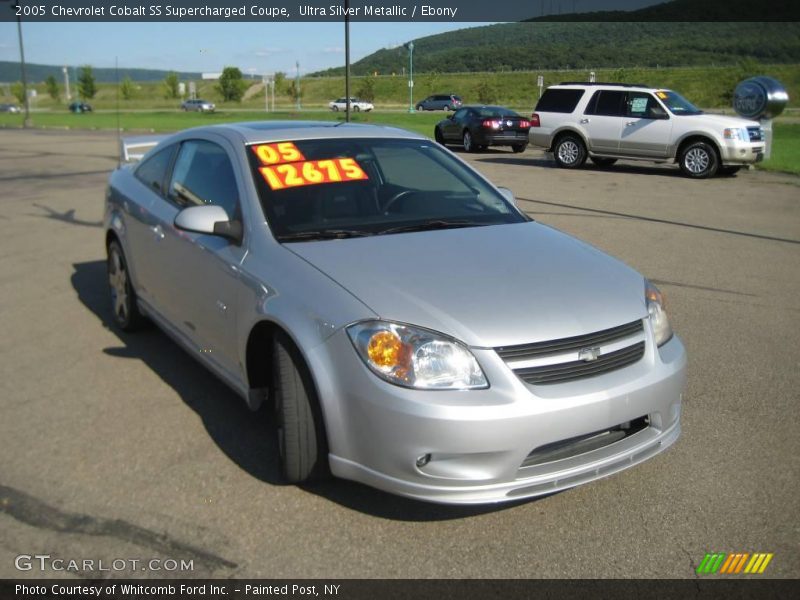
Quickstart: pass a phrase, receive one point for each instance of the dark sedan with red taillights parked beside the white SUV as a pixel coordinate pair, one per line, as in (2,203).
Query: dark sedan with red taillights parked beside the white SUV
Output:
(477,127)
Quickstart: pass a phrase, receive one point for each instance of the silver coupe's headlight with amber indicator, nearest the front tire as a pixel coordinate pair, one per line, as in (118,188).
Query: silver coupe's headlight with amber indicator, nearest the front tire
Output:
(416,358)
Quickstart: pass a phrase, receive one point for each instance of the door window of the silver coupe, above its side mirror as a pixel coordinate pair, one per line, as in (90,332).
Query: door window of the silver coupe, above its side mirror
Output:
(203,174)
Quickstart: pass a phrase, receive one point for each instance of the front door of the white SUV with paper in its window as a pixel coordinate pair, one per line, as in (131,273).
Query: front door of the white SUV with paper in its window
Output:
(647,127)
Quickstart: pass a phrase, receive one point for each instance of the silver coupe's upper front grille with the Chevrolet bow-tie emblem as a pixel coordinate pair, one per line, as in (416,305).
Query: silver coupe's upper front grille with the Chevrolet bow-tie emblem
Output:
(552,370)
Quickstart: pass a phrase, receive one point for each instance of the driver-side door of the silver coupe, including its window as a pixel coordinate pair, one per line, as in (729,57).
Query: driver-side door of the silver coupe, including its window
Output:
(200,273)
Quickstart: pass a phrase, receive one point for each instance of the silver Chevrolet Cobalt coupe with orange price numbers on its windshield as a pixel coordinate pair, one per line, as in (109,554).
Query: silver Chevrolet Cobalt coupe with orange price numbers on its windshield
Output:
(411,328)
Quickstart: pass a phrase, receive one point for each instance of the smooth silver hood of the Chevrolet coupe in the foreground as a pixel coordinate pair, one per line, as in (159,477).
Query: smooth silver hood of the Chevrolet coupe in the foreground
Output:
(487,286)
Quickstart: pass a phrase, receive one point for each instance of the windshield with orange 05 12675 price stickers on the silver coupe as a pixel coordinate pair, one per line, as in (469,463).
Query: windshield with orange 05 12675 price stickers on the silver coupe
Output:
(323,189)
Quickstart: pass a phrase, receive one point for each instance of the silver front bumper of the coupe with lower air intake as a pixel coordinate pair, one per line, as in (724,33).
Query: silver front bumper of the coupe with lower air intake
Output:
(478,440)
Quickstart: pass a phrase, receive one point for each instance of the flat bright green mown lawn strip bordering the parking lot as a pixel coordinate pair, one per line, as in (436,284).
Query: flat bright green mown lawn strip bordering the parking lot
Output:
(785,150)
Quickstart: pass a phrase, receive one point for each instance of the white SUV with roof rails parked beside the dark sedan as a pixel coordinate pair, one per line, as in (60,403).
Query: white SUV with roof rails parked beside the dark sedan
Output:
(608,121)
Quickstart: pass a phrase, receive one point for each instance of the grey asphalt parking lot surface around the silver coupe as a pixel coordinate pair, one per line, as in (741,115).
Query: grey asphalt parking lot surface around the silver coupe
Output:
(122,446)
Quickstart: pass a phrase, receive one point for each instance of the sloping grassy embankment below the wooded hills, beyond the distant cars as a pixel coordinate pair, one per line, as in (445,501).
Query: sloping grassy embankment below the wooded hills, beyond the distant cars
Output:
(709,87)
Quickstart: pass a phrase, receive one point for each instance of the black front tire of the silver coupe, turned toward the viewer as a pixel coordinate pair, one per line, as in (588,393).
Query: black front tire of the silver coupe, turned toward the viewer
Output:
(302,443)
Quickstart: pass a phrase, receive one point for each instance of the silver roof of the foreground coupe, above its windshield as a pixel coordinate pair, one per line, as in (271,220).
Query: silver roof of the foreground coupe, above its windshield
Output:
(267,131)
